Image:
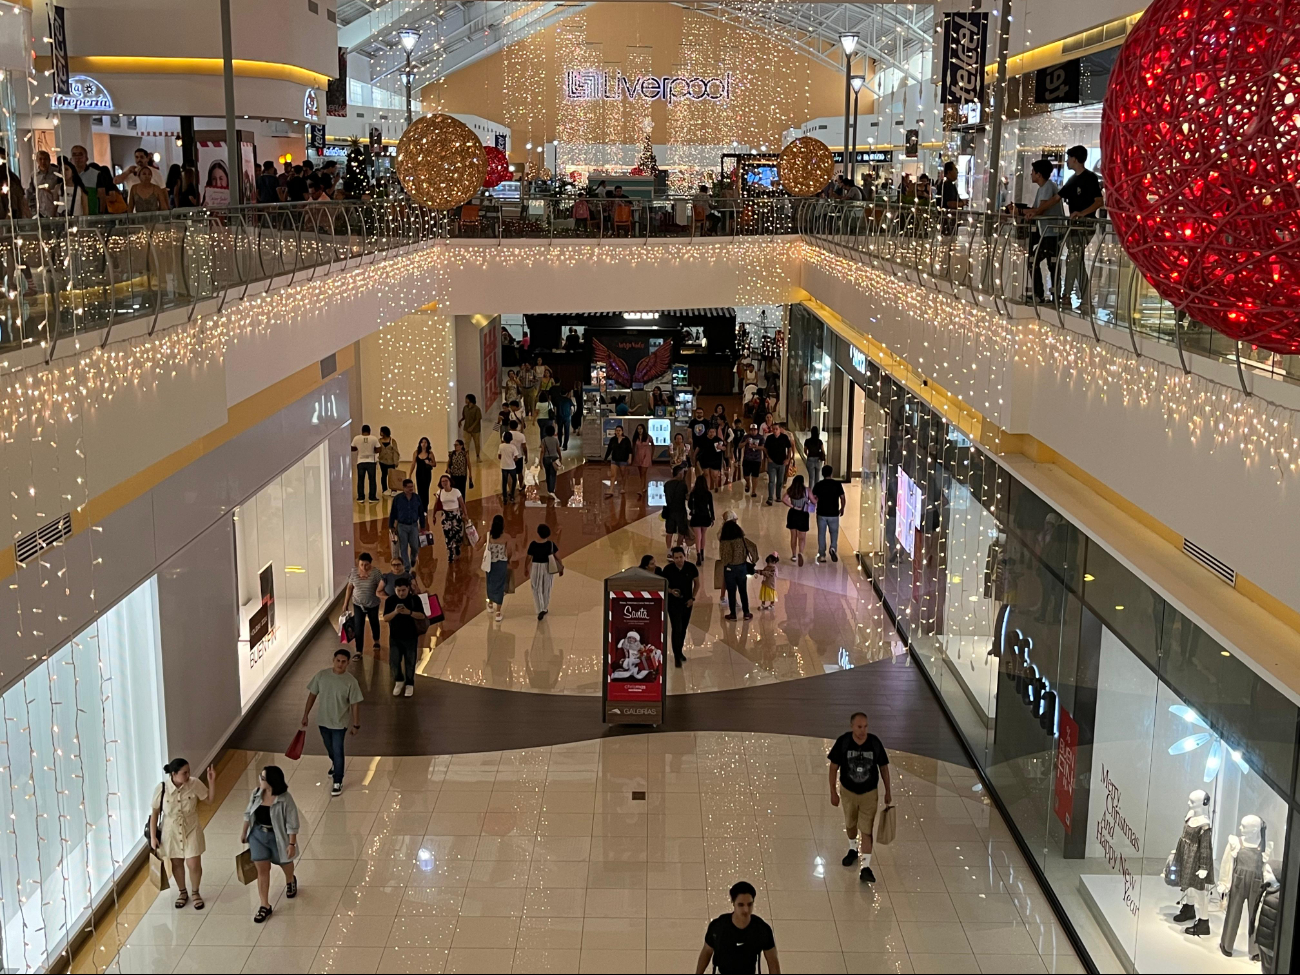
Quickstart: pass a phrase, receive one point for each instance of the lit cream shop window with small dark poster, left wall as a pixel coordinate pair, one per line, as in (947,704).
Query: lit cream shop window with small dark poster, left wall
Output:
(284,577)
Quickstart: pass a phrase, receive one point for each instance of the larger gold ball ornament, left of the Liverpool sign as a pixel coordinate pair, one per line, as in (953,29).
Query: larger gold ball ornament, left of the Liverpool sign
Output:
(441,163)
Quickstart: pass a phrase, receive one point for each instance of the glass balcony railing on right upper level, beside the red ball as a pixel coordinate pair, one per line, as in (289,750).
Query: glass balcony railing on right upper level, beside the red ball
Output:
(1082,271)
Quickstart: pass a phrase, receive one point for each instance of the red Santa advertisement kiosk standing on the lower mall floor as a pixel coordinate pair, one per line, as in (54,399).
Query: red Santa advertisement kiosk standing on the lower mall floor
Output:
(636,645)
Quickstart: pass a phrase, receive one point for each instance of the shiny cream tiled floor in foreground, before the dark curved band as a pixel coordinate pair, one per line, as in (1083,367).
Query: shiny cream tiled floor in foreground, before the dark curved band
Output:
(540,860)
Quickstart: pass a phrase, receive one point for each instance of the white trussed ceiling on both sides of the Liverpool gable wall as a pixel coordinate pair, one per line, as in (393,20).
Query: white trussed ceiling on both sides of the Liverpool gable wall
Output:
(454,34)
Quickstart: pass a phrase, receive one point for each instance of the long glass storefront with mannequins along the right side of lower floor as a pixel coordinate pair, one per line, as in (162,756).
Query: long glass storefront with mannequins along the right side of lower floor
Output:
(1129,749)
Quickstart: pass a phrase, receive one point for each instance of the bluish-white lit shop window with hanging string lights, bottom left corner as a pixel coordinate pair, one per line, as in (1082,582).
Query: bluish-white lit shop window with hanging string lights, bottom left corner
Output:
(80,757)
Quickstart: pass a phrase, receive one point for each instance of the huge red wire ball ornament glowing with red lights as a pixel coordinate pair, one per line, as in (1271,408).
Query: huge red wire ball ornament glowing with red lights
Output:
(1201,144)
